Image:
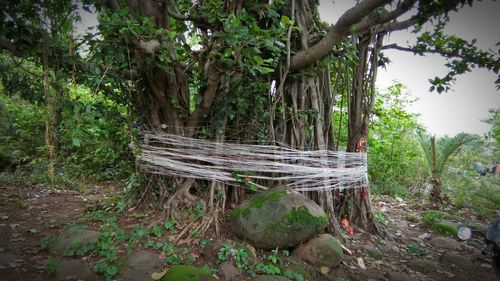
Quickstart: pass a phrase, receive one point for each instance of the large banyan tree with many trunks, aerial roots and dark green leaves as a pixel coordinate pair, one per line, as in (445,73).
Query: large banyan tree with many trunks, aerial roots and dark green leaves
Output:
(259,72)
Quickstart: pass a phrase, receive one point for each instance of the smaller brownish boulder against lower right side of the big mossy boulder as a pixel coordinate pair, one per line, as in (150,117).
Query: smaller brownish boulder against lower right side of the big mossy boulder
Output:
(323,250)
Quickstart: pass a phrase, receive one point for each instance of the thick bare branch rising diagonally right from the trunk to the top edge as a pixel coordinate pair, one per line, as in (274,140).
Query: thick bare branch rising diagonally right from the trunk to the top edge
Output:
(352,16)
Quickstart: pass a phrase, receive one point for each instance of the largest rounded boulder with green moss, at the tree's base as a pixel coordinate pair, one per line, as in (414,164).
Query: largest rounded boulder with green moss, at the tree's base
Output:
(277,218)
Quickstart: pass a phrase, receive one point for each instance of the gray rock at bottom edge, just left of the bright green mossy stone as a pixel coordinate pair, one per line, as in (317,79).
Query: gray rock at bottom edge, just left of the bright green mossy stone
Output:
(139,265)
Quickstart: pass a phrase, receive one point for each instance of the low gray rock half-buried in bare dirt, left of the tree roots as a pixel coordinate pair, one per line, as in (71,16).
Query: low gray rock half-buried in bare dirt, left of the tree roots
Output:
(71,239)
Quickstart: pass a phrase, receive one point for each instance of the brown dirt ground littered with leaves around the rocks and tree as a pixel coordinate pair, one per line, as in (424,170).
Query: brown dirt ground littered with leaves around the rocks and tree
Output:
(28,214)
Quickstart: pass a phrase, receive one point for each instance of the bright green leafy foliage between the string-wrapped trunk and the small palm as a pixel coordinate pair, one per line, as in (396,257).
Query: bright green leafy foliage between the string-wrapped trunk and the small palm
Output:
(393,155)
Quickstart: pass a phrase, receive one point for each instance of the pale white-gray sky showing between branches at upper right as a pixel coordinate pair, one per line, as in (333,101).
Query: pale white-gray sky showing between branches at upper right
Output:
(474,93)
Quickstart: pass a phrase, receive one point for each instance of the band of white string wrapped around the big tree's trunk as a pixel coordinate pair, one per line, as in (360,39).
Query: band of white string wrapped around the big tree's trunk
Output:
(248,165)
